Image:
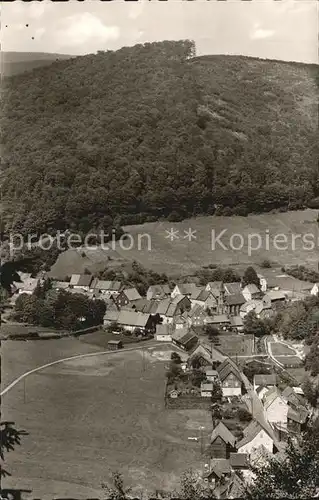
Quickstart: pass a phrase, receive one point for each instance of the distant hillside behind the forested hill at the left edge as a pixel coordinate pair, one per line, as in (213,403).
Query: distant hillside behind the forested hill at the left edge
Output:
(14,63)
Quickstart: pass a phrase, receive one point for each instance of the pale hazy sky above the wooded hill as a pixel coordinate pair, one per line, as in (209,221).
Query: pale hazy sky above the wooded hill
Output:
(282,29)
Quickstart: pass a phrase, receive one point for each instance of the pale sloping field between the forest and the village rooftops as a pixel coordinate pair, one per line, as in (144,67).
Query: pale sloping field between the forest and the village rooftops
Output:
(154,250)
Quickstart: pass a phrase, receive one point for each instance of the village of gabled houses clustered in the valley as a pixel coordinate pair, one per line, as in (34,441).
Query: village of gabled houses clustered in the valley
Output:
(241,379)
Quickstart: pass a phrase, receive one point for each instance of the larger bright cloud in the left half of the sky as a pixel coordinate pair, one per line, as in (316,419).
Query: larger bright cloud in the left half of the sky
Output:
(83,28)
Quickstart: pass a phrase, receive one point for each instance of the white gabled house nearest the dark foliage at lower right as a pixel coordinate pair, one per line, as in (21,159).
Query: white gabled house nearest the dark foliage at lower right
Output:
(255,436)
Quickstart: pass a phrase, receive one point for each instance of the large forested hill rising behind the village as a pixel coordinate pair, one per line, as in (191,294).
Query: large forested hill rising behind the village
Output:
(151,131)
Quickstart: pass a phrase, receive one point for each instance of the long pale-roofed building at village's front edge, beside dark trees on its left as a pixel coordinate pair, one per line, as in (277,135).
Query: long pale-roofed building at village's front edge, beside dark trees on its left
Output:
(130,320)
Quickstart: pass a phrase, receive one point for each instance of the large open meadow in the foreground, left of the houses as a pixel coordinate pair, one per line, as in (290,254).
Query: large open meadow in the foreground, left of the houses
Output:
(91,416)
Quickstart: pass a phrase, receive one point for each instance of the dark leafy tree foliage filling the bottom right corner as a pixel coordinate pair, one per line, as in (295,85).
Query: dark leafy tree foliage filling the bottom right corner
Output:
(296,475)
